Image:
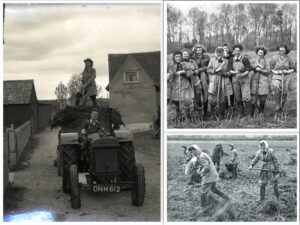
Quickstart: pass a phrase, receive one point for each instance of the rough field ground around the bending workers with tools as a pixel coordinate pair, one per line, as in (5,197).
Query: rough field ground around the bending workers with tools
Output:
(183,204)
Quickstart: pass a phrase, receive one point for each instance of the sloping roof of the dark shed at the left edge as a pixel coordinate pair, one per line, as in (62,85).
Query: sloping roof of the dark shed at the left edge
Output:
(17,91)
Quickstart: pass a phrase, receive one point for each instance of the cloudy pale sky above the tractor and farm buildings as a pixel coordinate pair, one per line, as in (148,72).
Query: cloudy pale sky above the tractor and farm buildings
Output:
(48,43)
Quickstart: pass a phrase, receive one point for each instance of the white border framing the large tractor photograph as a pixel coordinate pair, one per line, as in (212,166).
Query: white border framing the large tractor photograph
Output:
(133,2)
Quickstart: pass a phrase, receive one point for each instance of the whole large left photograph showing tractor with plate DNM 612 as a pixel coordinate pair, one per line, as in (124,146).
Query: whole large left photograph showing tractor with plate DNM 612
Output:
(81,112)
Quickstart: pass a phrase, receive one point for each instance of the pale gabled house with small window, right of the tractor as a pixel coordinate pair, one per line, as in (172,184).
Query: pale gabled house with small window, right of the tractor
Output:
(134,85)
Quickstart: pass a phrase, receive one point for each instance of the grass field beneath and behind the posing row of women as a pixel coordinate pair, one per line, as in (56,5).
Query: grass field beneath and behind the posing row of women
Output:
(267,122)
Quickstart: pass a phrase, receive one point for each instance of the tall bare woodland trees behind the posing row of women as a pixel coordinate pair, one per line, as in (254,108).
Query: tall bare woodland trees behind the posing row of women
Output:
(250,24)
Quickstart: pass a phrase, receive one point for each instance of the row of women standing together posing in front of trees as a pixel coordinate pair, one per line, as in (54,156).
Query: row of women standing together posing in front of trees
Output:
(229,80)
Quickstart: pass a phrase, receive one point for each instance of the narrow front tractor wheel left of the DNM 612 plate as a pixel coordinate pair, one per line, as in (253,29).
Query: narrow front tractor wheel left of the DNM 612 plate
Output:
(75,191)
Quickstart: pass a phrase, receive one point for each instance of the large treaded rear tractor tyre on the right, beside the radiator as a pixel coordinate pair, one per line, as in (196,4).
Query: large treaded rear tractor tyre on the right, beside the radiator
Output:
(126,157)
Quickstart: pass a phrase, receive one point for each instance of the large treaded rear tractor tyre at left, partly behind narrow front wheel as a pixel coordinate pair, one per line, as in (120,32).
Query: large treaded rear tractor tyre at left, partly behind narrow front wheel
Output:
(69,157)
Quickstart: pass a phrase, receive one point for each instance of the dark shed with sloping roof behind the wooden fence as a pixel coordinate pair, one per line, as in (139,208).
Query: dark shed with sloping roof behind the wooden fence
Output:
(21,104)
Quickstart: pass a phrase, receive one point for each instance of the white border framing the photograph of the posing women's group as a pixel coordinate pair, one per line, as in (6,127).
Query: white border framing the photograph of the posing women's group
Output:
(217,130)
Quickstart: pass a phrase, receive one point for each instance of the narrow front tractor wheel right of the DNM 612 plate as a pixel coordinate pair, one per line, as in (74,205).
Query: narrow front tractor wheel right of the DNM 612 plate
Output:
(139,186)
